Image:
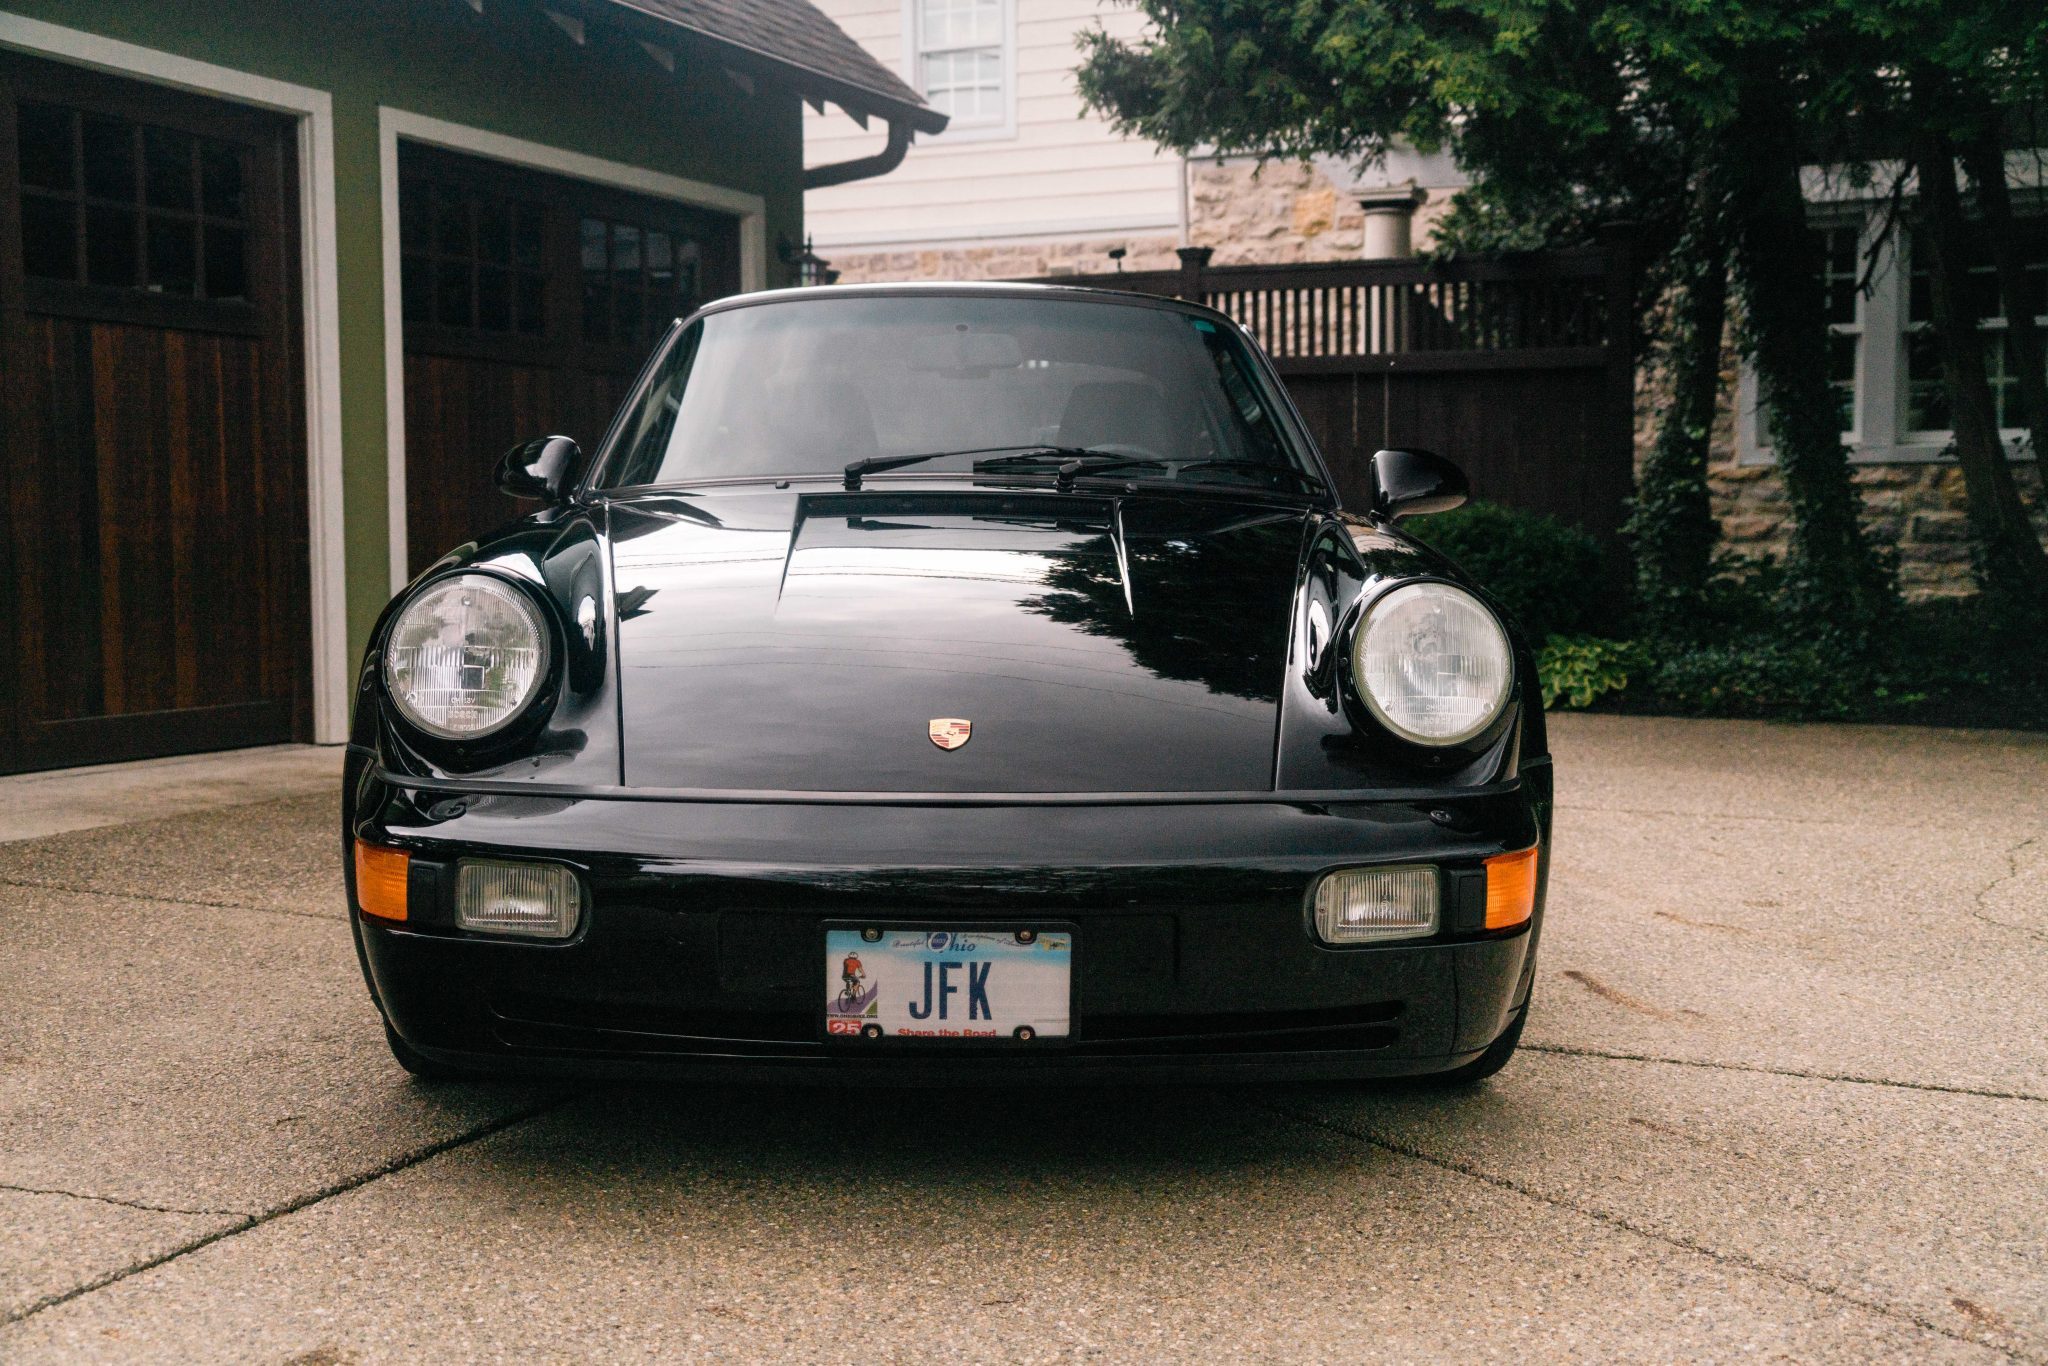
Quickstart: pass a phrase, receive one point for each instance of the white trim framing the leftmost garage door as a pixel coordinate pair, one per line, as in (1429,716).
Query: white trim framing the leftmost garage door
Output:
(314,112)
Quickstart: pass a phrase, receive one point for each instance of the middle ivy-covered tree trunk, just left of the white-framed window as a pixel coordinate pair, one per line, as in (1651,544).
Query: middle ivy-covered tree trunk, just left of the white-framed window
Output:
(1838,581)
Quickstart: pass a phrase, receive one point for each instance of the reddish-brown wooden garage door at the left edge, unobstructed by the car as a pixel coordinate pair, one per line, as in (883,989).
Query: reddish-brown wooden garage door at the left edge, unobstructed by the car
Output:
(153,550)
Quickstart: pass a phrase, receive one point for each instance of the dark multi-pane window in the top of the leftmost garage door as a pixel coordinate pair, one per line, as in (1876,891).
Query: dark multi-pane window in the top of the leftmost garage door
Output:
(130,206)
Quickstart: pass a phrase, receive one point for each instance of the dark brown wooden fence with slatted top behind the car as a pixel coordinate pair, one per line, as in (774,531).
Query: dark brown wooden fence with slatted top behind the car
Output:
(1521,370)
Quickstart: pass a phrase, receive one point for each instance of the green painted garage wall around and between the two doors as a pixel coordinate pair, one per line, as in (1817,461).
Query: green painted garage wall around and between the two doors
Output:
(509,71)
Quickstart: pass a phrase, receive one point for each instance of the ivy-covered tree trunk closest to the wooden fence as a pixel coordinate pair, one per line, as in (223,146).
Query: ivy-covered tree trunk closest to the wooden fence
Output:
(1672,521)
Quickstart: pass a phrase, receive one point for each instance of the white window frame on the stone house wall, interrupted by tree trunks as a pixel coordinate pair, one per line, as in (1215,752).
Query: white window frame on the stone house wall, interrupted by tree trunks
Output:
(1879,429)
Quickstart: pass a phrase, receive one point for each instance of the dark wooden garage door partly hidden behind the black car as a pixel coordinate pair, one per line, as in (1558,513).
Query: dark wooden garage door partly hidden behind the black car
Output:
(531,304)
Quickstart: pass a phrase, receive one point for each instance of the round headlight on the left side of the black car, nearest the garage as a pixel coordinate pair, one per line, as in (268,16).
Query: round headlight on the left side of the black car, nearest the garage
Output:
(466,656)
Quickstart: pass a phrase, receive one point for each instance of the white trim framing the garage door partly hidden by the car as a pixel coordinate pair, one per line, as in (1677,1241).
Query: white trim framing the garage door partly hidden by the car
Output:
(394,124)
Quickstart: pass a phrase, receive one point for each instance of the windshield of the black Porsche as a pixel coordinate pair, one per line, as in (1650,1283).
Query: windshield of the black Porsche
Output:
(812,386)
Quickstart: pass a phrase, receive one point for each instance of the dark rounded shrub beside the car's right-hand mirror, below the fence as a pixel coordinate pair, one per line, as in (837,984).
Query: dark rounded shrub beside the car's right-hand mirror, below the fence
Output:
(1545,572)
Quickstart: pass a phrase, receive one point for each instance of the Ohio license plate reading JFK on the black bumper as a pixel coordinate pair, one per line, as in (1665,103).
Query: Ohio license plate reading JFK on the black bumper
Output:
(986,986)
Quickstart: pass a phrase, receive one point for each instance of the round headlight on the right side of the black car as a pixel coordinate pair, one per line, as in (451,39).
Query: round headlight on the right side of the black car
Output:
(1433,665)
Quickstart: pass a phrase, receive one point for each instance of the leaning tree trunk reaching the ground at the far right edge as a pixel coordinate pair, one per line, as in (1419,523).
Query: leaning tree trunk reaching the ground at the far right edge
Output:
(2010,560)
